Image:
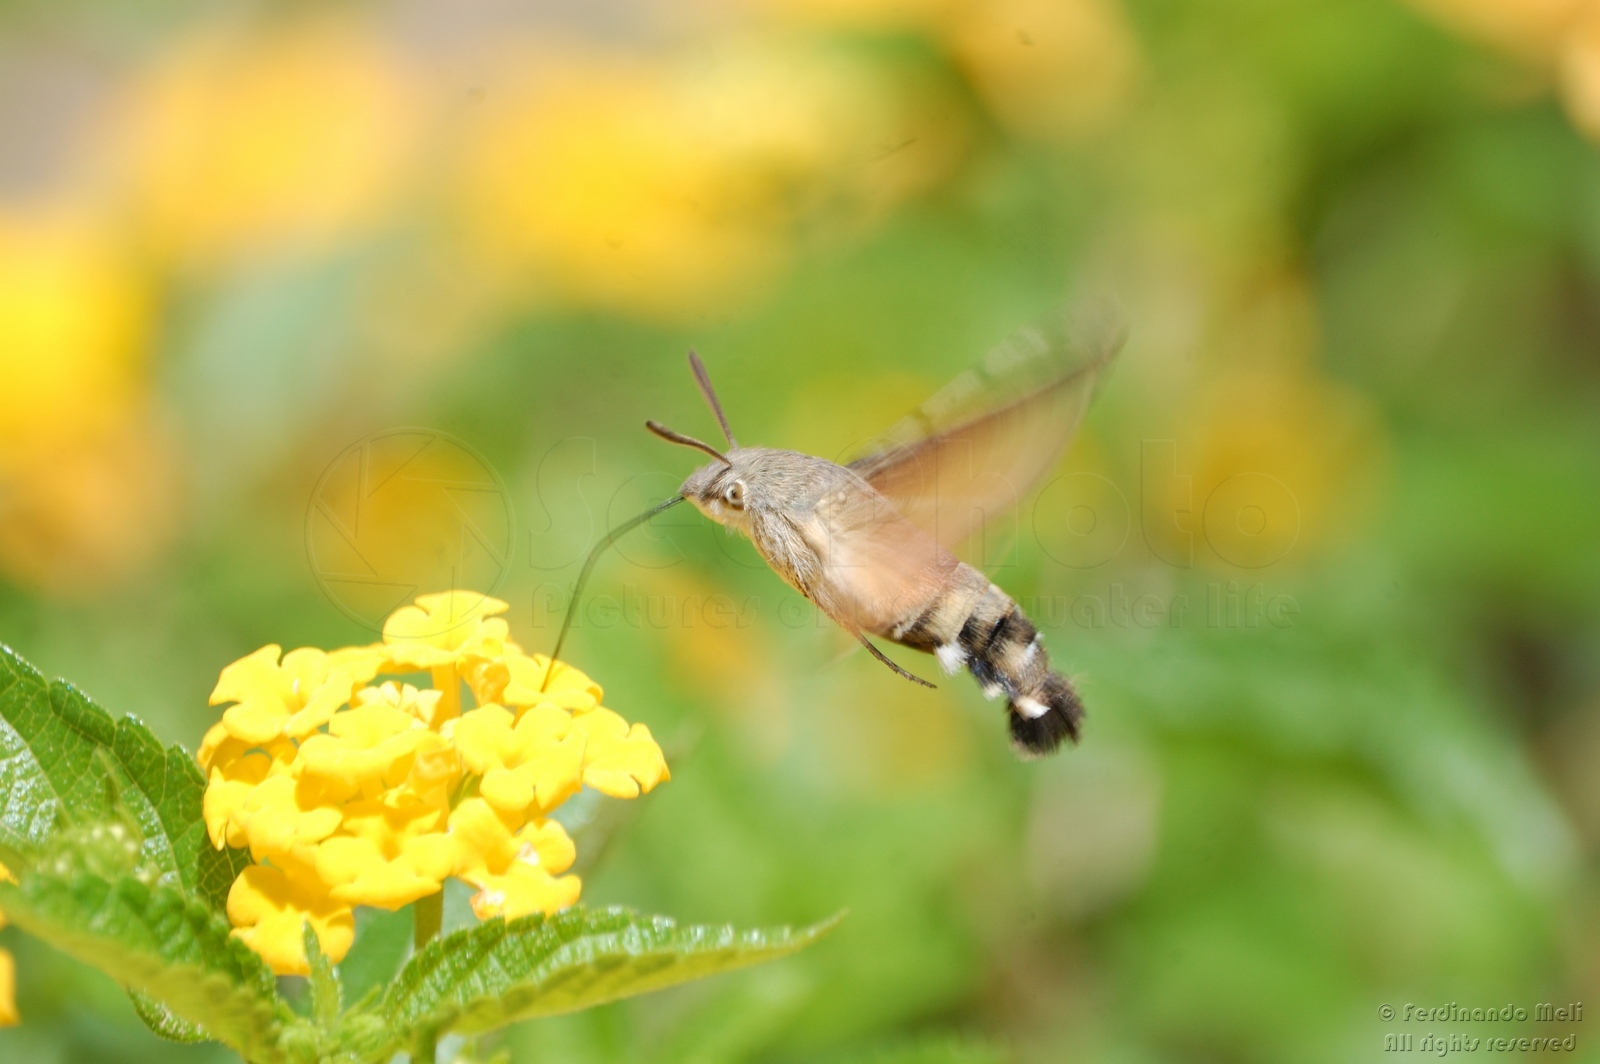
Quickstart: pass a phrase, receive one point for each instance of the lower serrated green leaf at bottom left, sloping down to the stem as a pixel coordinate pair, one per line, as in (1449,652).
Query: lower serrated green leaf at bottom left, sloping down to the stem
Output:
(162,945)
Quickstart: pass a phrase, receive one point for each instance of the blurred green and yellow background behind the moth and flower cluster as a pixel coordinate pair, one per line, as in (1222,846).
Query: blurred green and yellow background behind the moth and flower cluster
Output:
(310,306)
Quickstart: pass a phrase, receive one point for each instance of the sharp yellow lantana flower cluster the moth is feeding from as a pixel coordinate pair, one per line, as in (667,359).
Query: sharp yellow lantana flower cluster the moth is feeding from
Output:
(353,790)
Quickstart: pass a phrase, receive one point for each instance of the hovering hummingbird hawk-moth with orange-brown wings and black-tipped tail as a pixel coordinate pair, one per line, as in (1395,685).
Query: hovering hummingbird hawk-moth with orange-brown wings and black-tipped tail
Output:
(871,543)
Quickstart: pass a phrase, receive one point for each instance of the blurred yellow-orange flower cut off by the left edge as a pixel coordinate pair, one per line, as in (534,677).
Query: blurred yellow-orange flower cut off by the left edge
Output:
(86,473)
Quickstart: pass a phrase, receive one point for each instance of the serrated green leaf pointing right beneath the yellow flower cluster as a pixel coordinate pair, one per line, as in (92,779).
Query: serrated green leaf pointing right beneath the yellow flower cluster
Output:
(503,972)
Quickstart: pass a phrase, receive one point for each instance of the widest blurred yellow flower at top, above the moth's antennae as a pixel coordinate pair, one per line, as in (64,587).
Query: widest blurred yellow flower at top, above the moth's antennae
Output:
(668,190)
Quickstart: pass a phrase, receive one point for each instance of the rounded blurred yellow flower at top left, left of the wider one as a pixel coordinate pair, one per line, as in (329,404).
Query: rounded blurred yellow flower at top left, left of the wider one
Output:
(246,143)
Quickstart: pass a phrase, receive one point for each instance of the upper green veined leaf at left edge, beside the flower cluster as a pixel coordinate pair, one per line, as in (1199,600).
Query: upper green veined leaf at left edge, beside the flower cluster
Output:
(65,762)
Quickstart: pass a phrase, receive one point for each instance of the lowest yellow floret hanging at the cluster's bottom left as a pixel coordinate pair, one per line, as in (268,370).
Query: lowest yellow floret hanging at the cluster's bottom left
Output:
(270,908)
